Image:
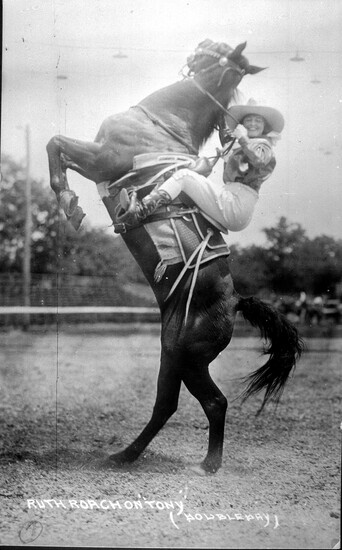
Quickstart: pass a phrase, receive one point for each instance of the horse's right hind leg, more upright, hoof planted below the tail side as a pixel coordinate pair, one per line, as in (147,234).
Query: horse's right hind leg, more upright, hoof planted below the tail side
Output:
(214,404)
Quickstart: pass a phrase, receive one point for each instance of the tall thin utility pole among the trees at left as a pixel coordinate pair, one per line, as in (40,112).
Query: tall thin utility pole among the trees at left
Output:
(28,230)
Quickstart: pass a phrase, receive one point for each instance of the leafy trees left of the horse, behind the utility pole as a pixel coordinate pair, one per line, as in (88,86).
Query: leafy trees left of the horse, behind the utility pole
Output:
(56,247)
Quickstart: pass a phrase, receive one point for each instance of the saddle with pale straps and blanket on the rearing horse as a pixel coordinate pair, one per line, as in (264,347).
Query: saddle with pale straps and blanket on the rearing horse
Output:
(180,232)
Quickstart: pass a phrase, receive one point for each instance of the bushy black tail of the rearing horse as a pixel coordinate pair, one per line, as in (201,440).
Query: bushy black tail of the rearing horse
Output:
(285,347)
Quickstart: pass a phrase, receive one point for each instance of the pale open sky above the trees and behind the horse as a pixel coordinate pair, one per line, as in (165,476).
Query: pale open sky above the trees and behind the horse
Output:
(44,40)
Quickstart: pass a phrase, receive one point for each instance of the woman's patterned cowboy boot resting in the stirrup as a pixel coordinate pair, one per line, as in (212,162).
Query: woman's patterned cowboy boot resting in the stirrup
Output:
(135,211)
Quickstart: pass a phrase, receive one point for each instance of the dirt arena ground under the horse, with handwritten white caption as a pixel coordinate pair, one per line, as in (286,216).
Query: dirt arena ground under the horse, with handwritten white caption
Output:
(65,395)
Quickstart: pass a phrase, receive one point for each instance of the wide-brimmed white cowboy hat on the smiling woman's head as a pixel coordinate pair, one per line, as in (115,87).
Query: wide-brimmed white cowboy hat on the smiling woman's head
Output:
(274,119)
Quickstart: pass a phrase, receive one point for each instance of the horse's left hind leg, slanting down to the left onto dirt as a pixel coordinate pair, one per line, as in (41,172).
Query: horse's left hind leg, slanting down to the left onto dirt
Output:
(169,382)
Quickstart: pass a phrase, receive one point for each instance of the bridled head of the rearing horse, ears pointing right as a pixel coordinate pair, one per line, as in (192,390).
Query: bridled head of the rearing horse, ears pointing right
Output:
(220,57)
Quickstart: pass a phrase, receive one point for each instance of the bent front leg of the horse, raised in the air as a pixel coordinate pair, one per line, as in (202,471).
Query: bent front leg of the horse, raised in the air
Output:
(66,153)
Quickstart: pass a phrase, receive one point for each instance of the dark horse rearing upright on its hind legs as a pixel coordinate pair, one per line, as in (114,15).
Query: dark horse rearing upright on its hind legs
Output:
(179,119)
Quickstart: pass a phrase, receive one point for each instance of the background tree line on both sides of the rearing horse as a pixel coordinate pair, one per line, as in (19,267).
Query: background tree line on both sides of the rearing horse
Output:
(290,261)
